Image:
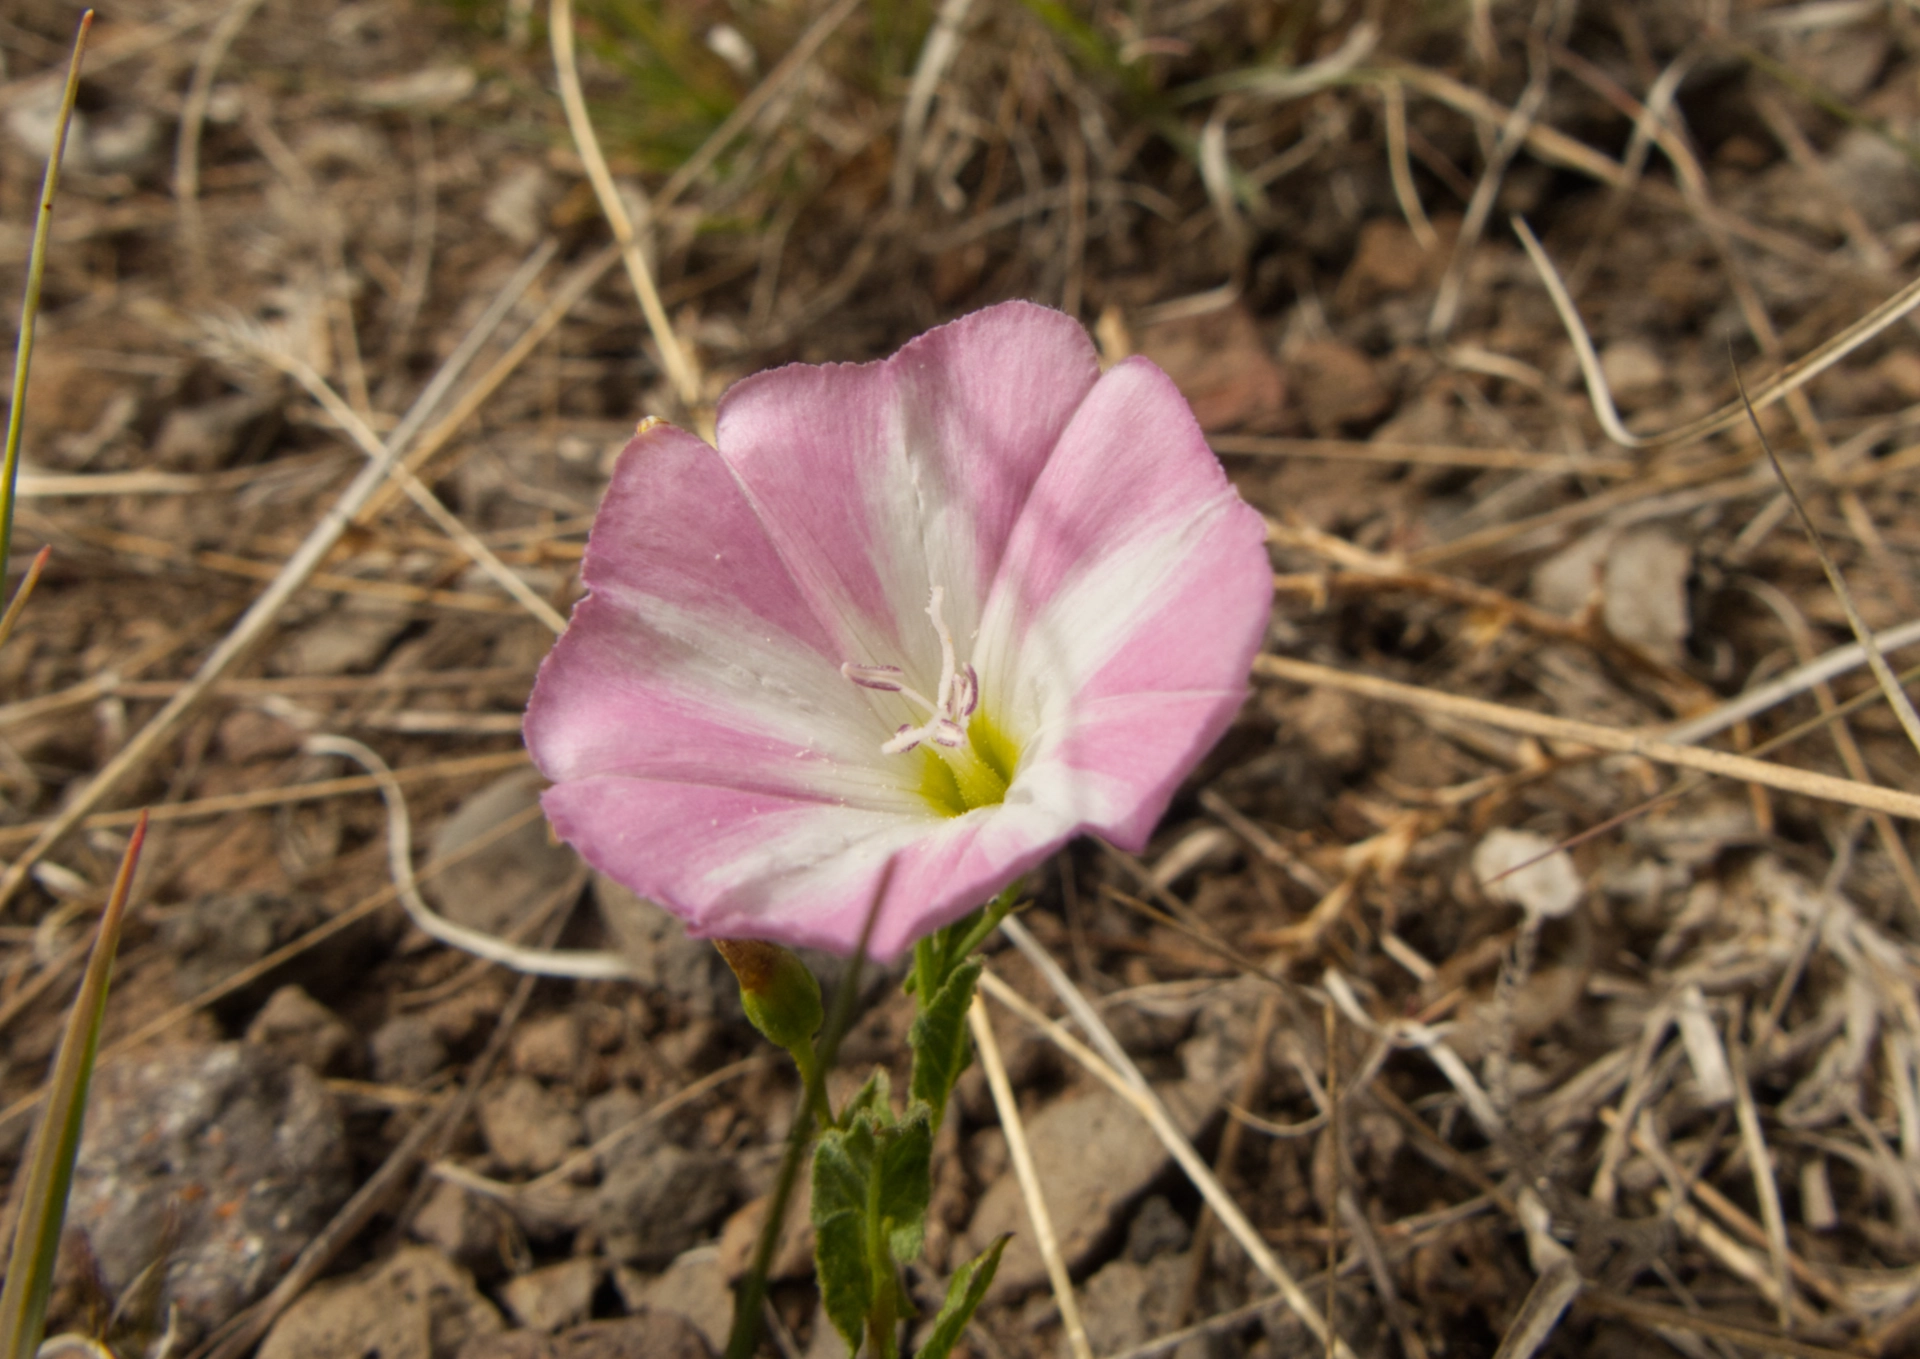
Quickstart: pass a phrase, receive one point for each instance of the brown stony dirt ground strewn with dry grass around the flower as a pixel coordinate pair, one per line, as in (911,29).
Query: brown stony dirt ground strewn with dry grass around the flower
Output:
(1669,1074)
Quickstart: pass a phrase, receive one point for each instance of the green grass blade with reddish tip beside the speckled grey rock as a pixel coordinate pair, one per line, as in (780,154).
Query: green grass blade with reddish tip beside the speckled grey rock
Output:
(43,1208)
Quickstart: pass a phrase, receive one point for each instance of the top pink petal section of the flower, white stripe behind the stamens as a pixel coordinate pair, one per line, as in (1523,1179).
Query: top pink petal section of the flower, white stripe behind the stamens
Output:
(886,479)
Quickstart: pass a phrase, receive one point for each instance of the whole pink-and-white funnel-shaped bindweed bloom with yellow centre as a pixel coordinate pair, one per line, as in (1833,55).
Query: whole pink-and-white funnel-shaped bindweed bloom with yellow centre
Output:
(948,609)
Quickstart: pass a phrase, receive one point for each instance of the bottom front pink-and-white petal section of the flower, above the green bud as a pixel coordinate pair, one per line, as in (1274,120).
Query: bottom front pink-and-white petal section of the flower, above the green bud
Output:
(796,872)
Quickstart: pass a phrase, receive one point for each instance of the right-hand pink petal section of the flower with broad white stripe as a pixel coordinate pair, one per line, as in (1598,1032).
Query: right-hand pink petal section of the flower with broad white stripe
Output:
(1128,609)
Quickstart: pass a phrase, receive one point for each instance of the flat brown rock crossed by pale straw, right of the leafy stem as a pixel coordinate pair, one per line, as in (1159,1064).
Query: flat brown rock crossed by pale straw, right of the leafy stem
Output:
(1093,1156)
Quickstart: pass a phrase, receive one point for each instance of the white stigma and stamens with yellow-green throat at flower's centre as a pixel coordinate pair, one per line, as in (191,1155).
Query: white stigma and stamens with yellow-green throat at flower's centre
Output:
(967,759)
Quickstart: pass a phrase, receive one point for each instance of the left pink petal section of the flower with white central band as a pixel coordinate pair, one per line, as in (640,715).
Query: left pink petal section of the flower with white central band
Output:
(696,657)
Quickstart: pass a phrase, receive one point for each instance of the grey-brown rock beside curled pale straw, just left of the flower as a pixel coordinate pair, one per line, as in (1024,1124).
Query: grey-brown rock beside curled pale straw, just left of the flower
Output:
(494,888)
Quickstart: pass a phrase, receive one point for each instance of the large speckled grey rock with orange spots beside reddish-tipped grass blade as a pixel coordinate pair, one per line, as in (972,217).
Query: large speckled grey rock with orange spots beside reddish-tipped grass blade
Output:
(218,1164)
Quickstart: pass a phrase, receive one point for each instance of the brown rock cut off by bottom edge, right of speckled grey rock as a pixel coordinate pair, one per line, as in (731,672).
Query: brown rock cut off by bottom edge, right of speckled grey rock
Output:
(414,1306)
